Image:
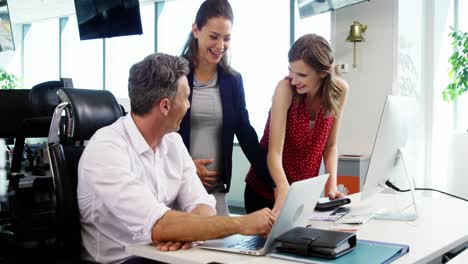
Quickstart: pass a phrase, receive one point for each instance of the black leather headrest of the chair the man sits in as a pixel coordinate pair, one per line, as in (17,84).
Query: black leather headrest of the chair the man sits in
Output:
(89,110)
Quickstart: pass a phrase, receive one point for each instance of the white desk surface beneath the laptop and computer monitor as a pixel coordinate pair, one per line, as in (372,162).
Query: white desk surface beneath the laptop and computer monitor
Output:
(441,227)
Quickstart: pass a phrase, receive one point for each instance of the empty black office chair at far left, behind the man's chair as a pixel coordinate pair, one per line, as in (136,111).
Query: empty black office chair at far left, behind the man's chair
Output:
(30,215)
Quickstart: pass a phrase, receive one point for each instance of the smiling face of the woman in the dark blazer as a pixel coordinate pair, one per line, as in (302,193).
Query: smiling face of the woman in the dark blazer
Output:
(213,39)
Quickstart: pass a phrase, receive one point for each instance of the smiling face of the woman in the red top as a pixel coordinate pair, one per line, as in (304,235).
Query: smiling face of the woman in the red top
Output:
(305,79)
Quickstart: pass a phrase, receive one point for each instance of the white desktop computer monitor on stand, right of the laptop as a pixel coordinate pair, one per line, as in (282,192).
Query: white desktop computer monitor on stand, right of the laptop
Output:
(389,158)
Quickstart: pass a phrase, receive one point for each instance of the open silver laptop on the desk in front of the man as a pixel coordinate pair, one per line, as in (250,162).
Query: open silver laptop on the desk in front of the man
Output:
(298,206)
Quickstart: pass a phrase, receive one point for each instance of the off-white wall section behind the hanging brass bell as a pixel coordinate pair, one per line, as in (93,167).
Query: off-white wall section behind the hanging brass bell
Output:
(374,77)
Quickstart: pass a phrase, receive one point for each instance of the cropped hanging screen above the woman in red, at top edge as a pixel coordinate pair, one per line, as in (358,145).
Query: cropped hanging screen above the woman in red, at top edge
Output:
(309,8)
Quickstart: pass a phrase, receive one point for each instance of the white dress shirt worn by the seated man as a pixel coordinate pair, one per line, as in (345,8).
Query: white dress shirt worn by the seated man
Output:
(124,188)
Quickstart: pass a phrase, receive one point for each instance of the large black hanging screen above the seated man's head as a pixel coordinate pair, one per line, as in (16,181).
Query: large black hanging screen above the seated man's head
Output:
(108,18)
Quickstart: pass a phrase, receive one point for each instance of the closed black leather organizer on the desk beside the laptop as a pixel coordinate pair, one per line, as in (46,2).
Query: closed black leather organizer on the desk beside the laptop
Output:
(317,242)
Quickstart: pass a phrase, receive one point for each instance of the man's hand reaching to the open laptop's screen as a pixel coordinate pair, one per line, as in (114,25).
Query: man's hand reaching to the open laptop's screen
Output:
(258,223)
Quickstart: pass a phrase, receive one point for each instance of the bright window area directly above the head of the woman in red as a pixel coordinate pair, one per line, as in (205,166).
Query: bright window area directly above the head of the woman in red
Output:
(318,24)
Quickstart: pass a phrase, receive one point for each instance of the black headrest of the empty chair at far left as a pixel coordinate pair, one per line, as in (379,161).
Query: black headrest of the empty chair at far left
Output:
(43,98)
